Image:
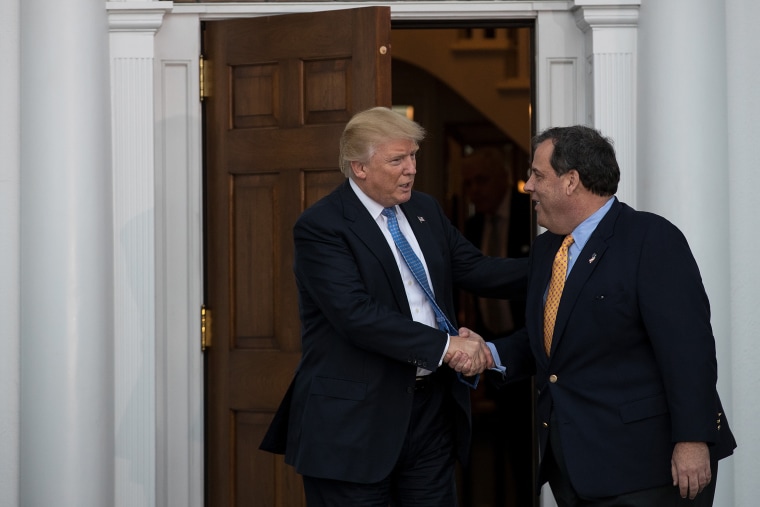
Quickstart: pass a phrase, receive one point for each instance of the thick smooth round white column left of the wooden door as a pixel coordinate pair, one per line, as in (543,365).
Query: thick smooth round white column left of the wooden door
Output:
(66,444)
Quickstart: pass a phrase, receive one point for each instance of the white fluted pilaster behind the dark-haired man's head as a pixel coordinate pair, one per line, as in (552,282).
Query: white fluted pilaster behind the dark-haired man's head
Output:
(611,57)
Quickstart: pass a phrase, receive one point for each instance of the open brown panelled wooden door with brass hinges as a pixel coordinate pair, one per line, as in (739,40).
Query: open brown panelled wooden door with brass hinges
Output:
(281,89)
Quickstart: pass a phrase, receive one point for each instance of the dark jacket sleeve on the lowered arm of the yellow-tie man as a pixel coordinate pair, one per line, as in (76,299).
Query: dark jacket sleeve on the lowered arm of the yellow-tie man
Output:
(676,314)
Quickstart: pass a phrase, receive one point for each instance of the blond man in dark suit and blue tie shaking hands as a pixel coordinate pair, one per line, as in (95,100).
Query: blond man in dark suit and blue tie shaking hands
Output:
(373,416)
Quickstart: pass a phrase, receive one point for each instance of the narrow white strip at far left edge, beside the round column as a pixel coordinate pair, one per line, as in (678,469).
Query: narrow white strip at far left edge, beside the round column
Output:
(9,251)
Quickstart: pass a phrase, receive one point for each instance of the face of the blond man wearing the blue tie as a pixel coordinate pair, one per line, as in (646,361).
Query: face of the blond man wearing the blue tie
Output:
(388,177)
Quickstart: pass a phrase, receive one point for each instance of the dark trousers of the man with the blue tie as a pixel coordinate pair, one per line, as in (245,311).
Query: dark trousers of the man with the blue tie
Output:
(424,473)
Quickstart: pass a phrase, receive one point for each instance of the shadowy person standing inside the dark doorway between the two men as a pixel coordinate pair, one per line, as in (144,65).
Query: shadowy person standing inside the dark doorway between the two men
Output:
(502,418)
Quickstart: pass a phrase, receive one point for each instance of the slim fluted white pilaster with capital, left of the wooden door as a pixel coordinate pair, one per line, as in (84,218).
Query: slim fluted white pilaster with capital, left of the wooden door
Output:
(133,26)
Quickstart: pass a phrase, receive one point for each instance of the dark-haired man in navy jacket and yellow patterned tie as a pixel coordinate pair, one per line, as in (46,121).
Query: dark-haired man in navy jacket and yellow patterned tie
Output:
(628,409)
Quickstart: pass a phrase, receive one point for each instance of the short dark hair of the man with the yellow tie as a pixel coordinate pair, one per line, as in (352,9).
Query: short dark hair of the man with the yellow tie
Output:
(587,151)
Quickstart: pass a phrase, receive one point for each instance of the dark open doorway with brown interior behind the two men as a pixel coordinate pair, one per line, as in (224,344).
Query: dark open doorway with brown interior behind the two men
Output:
(470,86)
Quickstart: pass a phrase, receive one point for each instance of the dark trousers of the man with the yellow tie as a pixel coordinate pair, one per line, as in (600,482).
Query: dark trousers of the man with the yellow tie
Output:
(566,496)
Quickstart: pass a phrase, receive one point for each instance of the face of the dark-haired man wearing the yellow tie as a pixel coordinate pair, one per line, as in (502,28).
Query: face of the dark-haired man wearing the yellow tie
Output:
(548,191)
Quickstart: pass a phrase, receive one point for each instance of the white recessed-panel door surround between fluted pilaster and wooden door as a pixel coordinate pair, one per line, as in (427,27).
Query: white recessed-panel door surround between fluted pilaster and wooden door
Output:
(179,262)
